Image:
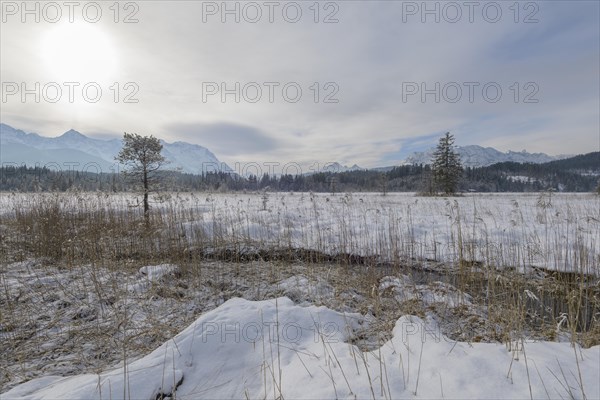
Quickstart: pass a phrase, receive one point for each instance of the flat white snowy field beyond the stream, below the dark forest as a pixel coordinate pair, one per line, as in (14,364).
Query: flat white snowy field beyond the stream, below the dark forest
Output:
(555,231)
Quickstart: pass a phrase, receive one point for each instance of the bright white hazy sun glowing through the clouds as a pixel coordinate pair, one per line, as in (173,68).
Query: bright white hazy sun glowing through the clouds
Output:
(78,52)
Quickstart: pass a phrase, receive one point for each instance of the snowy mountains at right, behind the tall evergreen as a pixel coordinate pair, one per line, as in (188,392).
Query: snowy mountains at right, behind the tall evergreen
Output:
(478,156)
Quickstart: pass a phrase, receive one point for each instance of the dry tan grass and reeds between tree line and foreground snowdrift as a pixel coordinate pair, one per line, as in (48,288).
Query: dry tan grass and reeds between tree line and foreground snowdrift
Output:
(75,299)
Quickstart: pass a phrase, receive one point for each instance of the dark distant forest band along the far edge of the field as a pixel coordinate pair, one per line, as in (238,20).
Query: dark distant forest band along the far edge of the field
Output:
(576,174)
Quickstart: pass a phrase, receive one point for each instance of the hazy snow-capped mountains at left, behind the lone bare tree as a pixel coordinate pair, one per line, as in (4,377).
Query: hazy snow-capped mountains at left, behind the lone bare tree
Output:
(73,150)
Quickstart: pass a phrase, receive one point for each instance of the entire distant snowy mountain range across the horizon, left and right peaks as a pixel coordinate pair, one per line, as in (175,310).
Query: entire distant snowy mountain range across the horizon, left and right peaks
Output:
(73,150)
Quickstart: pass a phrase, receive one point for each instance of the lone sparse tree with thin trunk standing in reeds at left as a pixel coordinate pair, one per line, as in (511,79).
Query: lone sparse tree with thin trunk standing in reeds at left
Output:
(141,156)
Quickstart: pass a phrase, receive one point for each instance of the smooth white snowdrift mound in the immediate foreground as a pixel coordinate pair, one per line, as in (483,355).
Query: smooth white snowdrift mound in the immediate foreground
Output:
(277,349)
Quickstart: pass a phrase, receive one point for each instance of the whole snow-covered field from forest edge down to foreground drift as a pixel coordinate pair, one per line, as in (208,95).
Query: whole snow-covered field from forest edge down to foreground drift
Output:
(404,324)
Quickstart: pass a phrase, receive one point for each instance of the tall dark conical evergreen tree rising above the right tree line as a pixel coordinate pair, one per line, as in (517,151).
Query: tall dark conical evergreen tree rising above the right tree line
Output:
(446,166)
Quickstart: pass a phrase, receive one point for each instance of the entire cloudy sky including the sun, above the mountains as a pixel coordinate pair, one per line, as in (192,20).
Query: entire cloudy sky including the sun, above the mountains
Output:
(363,82)
